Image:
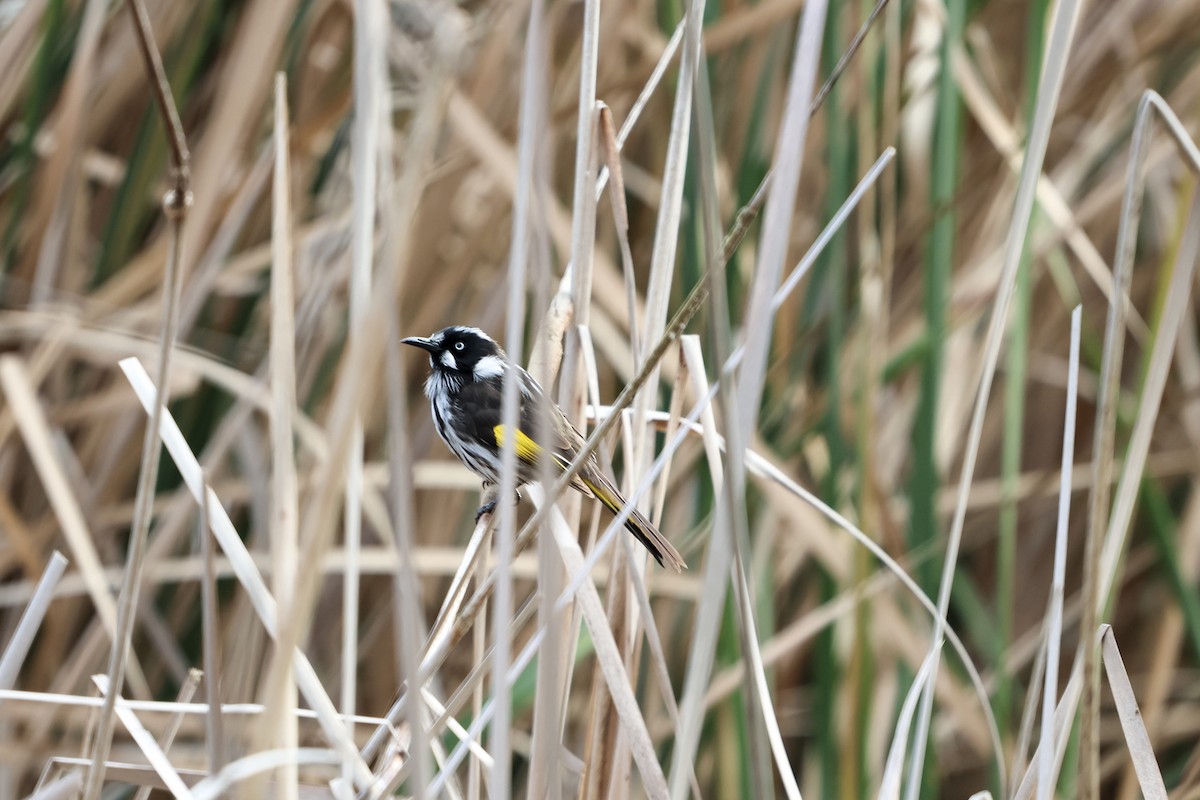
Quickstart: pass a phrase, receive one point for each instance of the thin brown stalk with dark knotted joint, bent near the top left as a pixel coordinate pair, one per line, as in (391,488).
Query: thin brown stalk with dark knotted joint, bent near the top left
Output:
(175,206)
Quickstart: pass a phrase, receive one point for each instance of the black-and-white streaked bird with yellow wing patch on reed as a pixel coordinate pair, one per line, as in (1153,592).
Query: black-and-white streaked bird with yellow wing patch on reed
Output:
(466,387)
